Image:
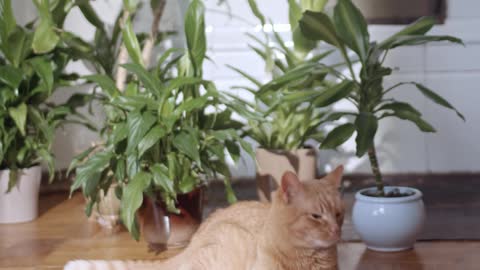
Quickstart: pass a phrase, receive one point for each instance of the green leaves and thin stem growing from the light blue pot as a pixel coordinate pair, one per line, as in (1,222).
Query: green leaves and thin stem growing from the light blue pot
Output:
(347,31)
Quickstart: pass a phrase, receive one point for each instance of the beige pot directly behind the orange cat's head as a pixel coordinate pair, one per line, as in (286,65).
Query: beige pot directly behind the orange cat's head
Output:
(271,164)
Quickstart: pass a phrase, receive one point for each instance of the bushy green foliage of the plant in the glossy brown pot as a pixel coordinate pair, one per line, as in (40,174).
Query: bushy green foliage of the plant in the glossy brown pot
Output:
(169,131)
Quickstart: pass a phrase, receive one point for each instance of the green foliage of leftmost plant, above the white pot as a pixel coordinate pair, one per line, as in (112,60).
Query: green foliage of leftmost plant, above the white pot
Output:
(32,62)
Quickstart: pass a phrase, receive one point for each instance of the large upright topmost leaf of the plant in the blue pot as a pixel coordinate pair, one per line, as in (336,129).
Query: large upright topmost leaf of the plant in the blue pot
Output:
(351,27)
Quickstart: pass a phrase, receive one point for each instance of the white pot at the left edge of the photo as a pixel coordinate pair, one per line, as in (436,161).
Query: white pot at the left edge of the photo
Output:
(21,203)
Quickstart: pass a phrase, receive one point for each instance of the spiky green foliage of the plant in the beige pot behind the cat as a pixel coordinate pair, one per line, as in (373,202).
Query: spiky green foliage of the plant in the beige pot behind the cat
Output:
(285,125)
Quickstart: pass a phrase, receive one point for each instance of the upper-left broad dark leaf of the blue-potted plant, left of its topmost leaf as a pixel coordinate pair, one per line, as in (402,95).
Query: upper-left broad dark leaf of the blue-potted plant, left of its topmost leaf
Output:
(318,26)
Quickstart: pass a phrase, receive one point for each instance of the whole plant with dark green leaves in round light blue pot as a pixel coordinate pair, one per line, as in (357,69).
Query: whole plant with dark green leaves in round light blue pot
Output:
(388,218)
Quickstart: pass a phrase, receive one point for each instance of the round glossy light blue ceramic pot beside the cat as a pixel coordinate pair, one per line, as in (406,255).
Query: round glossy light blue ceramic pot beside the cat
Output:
(389,224)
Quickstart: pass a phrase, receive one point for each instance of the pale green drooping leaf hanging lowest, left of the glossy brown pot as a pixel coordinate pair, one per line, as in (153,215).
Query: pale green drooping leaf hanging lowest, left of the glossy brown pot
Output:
(132,199)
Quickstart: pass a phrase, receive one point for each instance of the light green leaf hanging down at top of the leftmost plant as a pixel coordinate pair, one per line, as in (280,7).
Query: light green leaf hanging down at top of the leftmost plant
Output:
(45,38)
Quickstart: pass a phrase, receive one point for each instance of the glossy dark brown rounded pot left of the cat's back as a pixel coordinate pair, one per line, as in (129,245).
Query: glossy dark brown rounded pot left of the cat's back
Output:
(161,229)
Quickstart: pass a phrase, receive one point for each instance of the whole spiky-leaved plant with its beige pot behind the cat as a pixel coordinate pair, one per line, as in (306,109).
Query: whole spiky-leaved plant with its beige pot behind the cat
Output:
(283,131)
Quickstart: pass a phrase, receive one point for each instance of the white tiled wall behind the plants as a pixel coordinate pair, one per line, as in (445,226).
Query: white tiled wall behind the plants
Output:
(452,70)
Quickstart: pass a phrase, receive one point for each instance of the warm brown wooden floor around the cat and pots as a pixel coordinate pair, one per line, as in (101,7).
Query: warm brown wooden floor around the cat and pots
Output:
(63,233)
